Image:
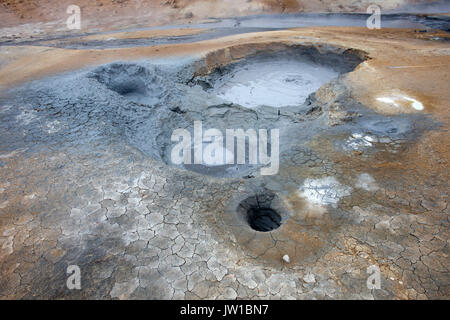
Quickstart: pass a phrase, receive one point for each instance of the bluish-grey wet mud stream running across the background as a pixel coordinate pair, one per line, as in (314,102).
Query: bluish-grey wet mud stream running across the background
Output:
(218,28)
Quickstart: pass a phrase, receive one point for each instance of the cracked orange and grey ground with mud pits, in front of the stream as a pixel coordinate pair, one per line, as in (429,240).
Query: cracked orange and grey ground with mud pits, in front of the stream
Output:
(86,176)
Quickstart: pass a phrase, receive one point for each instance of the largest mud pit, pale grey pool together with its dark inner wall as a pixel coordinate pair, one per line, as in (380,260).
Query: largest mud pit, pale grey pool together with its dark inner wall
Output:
(283,79)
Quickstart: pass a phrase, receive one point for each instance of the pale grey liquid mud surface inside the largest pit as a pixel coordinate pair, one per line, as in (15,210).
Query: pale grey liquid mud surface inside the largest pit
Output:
(272,82)
